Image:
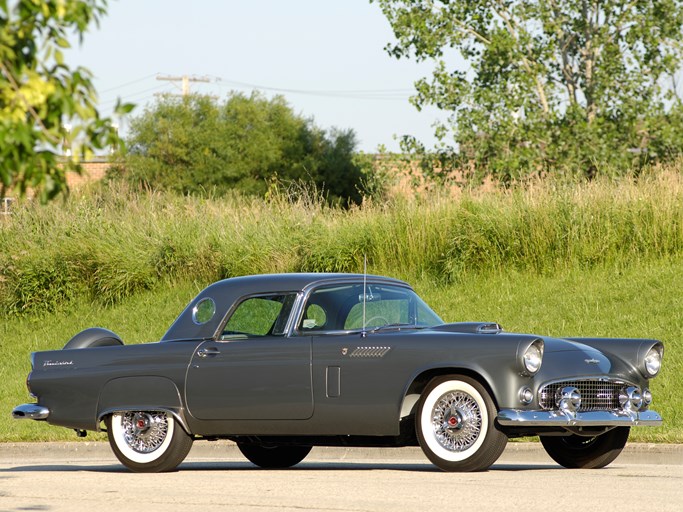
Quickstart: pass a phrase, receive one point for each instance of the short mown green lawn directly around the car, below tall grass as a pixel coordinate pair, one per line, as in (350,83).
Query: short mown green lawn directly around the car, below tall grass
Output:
(643,300)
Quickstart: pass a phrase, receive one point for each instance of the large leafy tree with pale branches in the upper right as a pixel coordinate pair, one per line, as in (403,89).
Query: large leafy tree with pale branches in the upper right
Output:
(547,84)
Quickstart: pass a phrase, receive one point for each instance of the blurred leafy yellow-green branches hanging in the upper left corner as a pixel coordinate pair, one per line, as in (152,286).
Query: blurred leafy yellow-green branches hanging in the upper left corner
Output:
(44,104)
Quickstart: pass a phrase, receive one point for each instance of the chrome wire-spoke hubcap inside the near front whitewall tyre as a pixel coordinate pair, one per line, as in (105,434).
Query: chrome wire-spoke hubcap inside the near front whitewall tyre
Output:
(456,419)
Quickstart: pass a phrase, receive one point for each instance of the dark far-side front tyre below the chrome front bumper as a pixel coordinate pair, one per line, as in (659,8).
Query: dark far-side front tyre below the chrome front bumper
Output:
(579,452)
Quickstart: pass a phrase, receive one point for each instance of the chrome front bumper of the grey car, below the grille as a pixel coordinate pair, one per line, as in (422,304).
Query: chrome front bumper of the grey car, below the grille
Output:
(520,418)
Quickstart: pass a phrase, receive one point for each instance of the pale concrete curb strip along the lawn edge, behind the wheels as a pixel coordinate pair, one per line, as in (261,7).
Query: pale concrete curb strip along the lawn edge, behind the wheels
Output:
(515,453)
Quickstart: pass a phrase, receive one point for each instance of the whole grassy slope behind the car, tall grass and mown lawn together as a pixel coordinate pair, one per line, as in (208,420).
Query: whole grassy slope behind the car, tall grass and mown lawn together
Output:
(594,259)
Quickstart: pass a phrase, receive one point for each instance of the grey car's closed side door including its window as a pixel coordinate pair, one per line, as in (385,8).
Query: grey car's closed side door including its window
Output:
(253,371)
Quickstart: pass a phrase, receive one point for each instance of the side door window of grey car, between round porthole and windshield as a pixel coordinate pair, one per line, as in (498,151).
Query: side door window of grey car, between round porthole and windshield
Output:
(265,315)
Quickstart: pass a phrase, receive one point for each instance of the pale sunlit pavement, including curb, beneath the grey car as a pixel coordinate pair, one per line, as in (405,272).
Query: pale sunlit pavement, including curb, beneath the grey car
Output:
(78,477)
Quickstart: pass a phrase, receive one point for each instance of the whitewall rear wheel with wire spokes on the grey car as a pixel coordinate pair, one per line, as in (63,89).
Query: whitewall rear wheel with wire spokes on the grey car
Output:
(147,441)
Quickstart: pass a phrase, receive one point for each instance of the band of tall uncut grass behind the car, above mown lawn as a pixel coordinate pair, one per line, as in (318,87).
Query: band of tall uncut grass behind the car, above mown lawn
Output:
(109,244)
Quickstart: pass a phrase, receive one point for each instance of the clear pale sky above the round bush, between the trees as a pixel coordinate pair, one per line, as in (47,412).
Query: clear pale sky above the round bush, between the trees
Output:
(326,57)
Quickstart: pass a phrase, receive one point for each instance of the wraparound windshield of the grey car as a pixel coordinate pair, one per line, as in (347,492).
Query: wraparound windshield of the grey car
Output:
(355,306)
